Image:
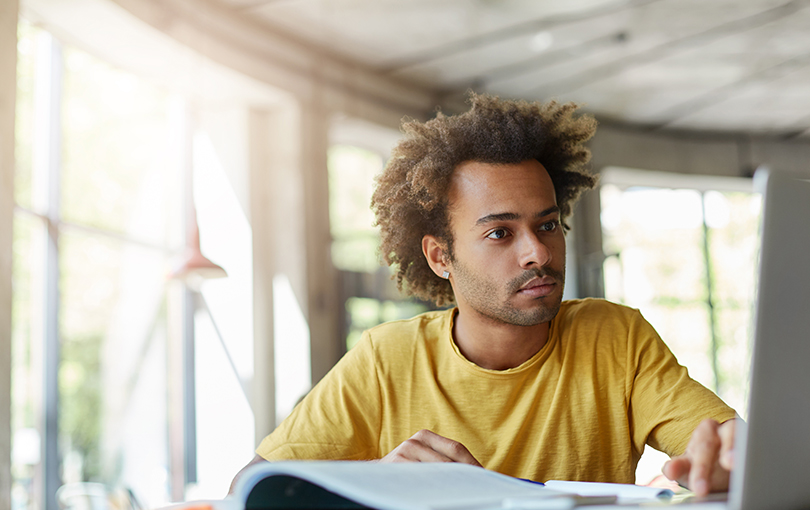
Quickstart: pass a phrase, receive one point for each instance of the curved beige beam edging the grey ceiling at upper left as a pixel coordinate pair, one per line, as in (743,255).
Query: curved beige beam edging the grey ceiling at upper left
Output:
(236,40)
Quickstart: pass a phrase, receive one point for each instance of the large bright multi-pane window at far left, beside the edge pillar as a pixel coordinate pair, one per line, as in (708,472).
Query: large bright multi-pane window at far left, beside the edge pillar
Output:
(96,225)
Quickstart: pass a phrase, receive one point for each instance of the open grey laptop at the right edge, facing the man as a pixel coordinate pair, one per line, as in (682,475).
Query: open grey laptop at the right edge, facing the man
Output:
(772,449)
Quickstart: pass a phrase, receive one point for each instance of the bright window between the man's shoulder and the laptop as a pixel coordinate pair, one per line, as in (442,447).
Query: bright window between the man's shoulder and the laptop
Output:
(683,251)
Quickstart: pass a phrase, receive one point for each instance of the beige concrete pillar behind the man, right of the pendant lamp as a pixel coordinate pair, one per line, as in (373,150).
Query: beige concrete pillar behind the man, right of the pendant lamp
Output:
(289,195)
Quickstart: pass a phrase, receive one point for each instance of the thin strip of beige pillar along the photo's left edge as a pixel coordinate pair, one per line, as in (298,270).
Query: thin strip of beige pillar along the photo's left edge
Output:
(9,11)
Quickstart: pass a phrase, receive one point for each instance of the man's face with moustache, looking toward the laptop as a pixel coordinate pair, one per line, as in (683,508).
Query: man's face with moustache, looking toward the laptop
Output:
(508,261)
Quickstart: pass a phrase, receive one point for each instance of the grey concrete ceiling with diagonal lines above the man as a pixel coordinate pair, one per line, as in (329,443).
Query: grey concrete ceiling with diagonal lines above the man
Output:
(709,65)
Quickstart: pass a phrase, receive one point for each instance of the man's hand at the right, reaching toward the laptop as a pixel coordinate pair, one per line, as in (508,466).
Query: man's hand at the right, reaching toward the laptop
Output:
(709,458)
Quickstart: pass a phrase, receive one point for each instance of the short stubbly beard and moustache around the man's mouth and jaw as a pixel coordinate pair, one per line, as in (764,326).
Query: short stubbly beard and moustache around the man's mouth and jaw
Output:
(483,296)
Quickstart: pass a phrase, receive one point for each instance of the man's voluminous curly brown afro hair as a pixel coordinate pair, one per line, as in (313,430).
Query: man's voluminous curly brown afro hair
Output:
(411,196)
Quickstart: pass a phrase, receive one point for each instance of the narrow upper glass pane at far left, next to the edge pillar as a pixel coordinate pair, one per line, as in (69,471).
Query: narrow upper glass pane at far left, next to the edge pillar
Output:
(24,129)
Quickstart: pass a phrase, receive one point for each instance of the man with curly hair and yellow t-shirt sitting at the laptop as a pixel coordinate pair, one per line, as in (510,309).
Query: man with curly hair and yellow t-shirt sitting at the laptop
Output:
(472,211)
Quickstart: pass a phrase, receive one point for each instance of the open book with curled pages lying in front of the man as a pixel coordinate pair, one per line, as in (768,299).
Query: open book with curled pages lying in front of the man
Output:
(407,486)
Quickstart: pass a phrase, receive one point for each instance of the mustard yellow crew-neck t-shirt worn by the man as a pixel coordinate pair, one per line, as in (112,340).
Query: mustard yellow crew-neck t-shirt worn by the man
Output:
(582,408)
